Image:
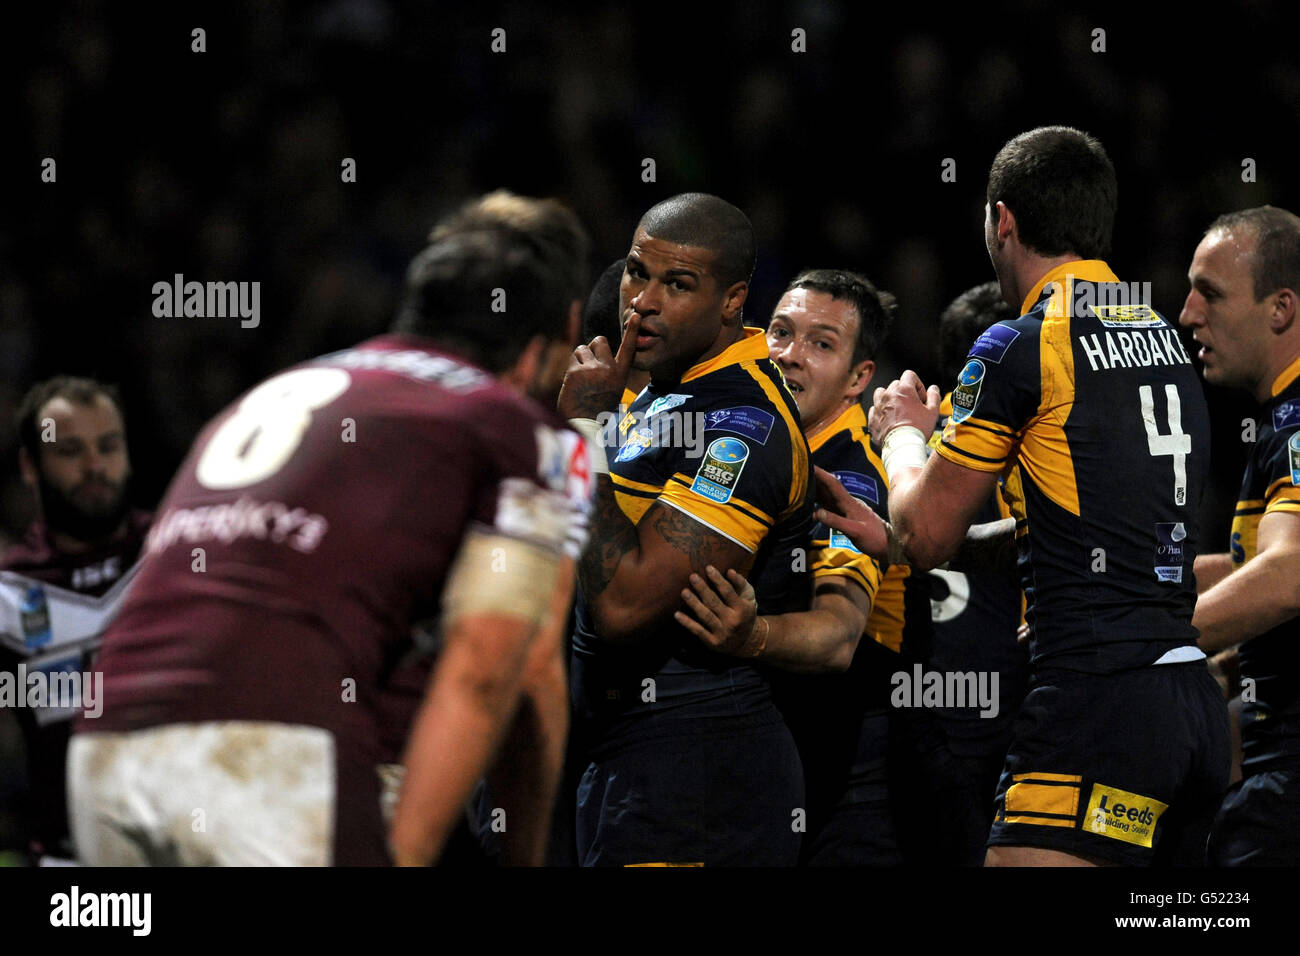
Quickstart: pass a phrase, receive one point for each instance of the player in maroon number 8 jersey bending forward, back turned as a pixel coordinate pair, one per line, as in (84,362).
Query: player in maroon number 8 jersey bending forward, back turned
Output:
(313,525)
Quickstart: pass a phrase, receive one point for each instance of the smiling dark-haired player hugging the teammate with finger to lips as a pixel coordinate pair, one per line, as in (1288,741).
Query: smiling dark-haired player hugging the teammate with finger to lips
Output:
(825,335)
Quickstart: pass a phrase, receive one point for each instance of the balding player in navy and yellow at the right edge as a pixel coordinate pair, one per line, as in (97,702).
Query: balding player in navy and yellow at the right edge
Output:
(1242,310)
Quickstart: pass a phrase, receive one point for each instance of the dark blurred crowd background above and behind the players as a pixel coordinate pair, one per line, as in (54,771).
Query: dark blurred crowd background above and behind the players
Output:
(226,166)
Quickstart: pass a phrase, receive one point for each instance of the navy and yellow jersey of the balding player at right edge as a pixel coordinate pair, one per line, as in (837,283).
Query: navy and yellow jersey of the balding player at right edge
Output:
(1271,725)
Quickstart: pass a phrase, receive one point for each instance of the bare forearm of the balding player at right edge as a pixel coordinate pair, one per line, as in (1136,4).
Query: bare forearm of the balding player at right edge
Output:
(1263,595)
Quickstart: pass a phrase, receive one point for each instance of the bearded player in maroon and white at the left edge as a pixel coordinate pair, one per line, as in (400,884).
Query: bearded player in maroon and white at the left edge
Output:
(84,542)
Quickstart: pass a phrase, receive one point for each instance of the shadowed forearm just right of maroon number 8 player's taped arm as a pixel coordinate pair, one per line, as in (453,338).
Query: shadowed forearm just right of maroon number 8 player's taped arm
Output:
(526,775)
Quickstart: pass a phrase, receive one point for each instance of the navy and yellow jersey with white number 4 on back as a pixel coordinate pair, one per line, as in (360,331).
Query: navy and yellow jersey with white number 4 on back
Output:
(1090,408)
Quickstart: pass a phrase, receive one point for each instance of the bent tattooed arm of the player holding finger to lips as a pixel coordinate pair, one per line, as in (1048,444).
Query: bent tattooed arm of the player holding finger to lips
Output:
(632,576)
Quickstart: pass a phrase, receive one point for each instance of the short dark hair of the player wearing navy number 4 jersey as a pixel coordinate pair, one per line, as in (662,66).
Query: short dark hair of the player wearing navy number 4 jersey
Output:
(1061,187)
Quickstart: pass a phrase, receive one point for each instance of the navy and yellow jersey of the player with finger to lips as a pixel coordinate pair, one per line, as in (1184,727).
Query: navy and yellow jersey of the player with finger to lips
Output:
(726,447)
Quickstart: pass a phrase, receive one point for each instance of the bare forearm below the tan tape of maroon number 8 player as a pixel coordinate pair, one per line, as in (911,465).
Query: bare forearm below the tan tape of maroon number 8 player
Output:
(460,726)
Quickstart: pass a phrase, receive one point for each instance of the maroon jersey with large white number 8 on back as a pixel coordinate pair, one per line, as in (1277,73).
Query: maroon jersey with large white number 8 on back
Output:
(328,504)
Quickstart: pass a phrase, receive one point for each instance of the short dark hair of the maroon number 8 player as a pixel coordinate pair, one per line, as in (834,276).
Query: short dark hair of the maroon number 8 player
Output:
(454,284)
